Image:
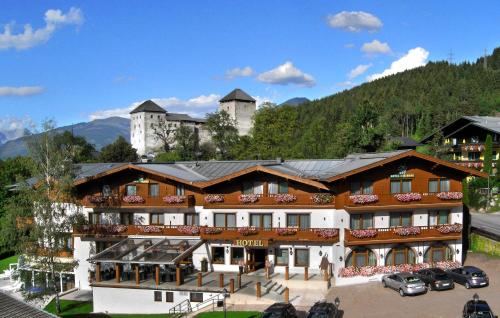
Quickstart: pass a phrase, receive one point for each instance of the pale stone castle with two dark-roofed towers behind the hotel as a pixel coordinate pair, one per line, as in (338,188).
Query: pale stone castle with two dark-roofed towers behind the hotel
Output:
(148,116)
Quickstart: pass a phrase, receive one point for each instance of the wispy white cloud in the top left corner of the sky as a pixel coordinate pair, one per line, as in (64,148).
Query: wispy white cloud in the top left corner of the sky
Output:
(30,37)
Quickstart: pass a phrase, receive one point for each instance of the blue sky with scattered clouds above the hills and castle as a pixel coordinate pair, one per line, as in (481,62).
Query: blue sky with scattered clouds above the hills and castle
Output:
(83,60)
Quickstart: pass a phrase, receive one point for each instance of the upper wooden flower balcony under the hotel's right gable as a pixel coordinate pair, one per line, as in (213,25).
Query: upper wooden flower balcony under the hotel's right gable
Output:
(404,201)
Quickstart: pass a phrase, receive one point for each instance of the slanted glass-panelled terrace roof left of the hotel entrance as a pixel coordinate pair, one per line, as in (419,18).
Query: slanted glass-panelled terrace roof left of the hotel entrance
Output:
(148,251)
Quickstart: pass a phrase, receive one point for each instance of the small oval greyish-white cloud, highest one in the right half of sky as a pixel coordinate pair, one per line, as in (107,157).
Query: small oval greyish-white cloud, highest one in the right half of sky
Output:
(355,21)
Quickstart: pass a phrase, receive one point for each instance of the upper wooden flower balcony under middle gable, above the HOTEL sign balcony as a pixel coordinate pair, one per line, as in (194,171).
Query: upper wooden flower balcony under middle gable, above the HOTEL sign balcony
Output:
(313,200)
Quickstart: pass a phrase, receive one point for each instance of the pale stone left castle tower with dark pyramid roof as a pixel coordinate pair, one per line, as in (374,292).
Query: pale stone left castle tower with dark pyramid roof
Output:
(142,119)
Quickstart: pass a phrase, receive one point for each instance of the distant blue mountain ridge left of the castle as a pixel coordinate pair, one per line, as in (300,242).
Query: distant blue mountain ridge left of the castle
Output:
(99,132)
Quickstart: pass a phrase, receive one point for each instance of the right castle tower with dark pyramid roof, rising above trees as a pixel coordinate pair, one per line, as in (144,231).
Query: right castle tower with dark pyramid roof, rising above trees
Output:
(241,107)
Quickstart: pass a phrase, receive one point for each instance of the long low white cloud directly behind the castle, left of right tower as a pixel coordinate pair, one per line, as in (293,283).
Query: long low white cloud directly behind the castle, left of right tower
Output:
(196,106)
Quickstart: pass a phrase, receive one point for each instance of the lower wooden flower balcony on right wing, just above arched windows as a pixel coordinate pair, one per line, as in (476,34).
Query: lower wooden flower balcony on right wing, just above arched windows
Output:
(406,235)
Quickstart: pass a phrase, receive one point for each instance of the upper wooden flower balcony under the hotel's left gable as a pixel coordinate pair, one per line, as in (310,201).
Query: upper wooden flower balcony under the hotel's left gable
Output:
(116,201)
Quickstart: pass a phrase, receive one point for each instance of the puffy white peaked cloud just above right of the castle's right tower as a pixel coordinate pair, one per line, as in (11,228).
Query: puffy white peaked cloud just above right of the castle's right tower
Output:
(287,74)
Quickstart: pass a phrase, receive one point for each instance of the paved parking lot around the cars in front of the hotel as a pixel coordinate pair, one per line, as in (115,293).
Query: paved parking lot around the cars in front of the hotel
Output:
(372,300)
